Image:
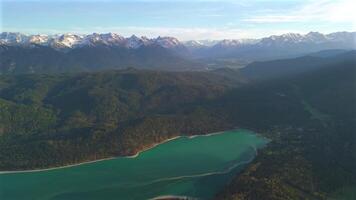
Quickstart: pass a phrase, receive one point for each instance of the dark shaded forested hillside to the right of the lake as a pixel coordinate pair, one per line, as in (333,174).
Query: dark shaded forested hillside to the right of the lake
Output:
(312,159)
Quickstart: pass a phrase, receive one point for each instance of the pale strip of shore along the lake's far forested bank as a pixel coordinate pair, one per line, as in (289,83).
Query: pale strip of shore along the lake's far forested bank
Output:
(110,158)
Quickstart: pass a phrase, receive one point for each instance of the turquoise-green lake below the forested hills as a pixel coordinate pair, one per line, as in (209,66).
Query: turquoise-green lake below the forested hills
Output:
(196,166)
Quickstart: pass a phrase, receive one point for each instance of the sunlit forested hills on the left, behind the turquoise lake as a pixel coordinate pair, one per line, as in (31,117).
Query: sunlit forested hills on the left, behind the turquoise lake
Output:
(69,118)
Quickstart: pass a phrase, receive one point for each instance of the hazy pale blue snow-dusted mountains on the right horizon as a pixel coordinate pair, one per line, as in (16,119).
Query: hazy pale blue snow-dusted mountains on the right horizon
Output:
(275,47)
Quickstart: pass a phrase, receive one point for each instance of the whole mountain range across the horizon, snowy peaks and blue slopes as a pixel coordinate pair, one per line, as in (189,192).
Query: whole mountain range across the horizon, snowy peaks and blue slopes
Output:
(21,53)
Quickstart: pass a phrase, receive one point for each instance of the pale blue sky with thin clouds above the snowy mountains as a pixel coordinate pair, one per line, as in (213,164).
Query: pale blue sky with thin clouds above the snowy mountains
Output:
(183,19)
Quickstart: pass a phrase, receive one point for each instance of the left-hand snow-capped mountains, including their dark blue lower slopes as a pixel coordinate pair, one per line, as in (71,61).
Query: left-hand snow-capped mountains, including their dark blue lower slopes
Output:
(20,53)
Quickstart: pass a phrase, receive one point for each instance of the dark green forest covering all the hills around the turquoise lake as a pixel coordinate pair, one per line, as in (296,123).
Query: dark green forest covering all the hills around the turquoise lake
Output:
(310,117)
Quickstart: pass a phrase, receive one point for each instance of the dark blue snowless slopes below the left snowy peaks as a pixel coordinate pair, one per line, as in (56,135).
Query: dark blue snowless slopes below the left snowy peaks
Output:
(42,59)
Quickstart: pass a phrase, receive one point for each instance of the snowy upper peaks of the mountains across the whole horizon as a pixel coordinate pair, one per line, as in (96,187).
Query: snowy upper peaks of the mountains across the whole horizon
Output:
(65,41)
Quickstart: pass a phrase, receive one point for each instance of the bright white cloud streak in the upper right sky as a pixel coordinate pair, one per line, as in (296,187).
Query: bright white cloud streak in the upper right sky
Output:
(317,11)
